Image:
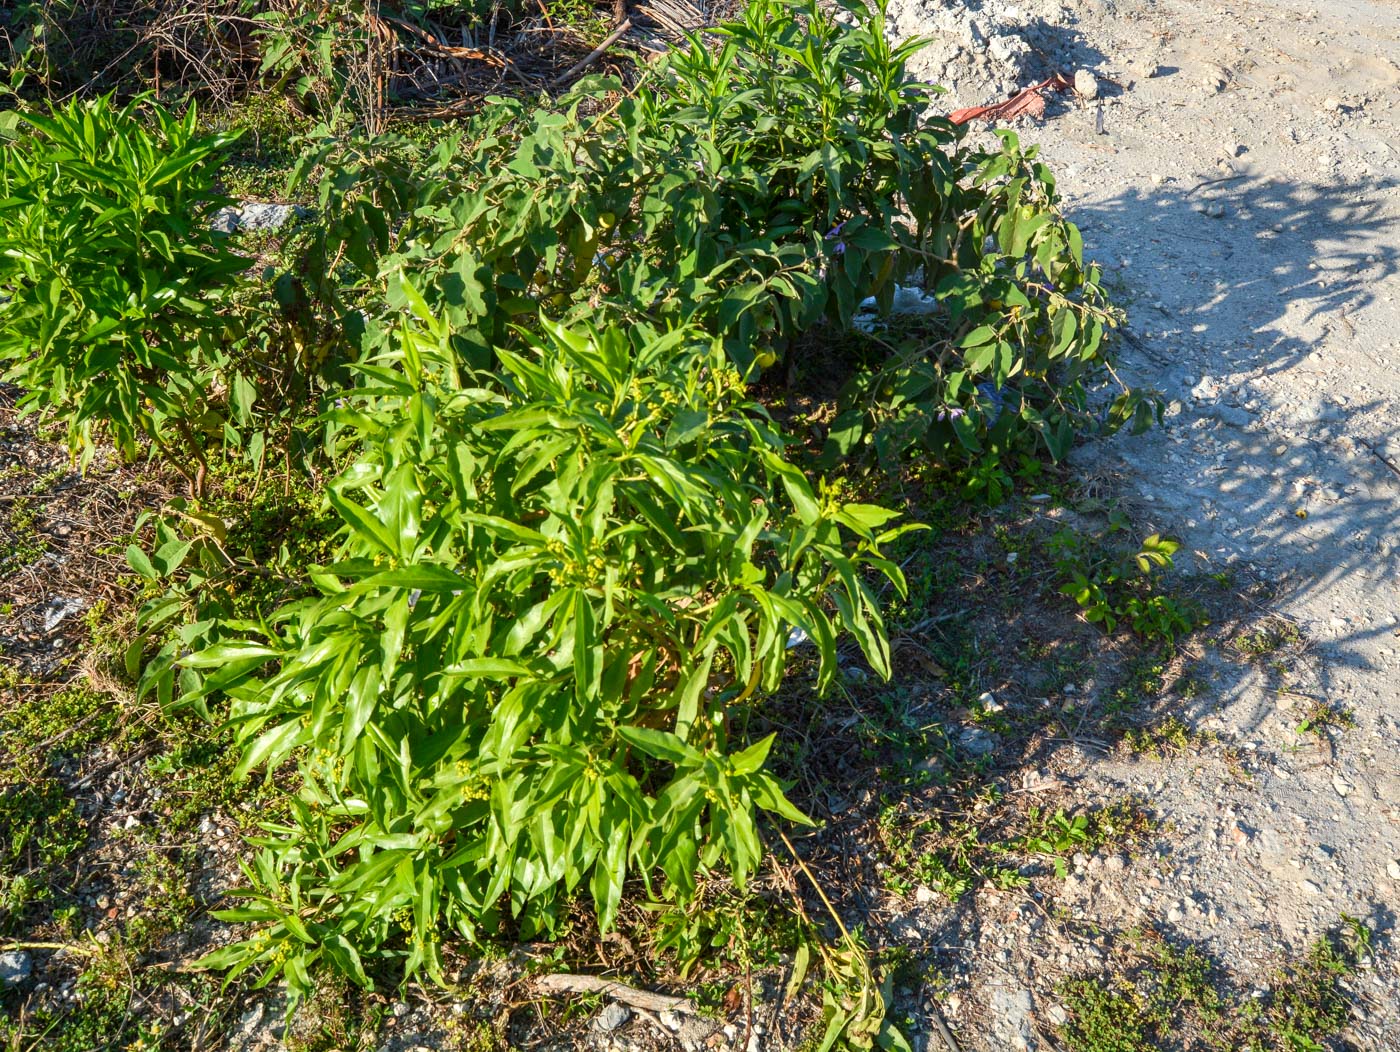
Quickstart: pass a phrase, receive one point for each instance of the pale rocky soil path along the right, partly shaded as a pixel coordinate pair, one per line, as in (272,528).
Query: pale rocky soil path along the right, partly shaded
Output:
(1240,179)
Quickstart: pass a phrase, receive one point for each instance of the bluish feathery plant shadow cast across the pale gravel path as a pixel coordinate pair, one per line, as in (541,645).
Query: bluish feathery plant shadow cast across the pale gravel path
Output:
(1303,487)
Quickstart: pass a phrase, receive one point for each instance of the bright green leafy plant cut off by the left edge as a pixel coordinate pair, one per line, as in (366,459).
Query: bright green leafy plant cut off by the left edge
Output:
(113,278)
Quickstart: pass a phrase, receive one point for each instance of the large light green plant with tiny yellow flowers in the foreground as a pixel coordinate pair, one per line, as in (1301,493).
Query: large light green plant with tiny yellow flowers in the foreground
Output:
(527,672)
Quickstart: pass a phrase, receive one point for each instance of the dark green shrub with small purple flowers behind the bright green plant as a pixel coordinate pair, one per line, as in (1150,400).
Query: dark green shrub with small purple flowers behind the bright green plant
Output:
(761,188)
